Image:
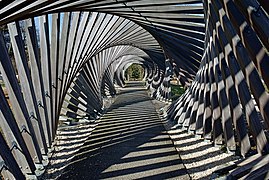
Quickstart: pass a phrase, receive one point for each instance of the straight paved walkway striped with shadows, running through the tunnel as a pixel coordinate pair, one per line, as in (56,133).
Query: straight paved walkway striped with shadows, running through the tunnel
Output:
(130,142)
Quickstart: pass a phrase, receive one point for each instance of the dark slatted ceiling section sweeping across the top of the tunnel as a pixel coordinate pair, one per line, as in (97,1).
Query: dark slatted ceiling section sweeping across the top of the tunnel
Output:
(184,23)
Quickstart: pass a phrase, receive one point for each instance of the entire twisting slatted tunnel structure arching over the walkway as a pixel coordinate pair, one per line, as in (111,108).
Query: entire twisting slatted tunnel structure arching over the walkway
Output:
(62,58)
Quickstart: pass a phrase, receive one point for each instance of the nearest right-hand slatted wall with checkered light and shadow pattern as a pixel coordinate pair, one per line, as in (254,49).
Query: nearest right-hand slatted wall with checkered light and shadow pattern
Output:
(229,77)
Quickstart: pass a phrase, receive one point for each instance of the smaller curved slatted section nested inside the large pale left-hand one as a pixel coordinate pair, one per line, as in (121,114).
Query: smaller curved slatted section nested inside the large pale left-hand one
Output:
(102,65)
